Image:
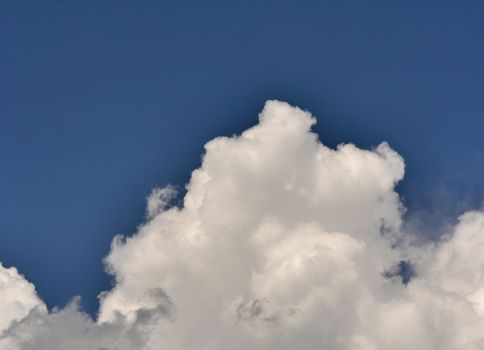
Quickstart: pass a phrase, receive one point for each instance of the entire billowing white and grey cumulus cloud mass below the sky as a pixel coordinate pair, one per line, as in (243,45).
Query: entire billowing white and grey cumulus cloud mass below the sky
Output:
(281,243)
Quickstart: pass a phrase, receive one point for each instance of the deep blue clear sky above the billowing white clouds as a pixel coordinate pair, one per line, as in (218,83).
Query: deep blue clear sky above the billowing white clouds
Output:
(102,101)
